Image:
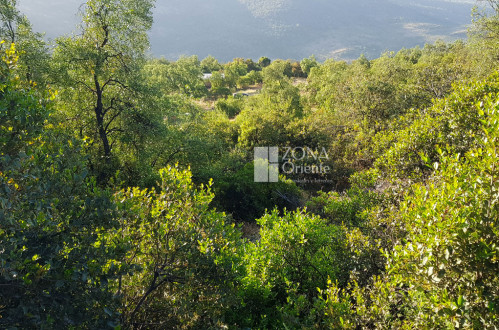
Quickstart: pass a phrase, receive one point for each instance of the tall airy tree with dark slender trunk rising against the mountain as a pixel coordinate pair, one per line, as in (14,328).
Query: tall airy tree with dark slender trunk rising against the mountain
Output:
(100,71)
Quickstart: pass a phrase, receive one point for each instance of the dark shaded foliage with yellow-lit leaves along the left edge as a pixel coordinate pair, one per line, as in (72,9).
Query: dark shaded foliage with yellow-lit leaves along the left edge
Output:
(54,271)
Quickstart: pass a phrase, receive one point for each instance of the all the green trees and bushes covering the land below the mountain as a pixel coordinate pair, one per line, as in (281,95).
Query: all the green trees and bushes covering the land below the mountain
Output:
(127,183)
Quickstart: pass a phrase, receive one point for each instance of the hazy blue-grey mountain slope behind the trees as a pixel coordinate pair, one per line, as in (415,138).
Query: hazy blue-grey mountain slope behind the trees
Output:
(281,28)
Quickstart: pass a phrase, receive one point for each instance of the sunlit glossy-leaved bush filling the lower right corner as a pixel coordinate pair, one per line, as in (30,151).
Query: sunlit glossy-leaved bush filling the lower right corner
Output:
(454,274)
